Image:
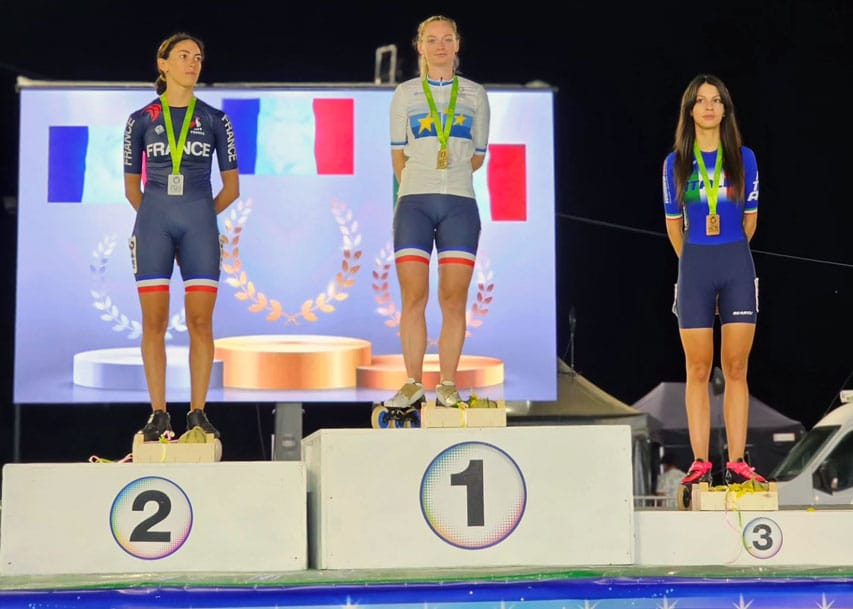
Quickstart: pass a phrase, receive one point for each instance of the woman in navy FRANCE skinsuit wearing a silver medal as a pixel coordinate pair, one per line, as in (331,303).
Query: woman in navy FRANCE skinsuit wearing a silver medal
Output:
(173,140)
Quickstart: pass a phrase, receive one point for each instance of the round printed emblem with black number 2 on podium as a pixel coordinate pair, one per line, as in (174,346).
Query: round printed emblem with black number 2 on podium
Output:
(151,518)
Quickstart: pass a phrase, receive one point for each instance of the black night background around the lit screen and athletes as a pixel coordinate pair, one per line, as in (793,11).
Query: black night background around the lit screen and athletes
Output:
(619,72)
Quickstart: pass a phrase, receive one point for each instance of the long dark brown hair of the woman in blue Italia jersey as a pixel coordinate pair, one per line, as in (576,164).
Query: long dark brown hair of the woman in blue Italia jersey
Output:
(685,135)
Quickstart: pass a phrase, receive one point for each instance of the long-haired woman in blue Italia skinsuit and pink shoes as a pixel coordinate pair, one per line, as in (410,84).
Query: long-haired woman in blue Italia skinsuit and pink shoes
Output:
(710,189)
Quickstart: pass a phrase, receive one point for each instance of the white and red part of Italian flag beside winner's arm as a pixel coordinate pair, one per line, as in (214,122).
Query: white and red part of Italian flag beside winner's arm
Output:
(501,185)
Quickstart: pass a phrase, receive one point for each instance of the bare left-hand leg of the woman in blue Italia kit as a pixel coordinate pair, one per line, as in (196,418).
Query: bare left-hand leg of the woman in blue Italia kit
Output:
(698,346)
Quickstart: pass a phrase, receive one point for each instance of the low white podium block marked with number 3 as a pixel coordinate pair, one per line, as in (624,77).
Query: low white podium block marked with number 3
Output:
(776,538)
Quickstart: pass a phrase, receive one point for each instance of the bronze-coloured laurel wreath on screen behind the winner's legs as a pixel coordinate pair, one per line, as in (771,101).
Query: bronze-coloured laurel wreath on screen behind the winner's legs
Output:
(388,308)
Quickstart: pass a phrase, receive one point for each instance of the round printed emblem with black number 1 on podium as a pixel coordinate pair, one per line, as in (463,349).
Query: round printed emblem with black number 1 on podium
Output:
(473,495)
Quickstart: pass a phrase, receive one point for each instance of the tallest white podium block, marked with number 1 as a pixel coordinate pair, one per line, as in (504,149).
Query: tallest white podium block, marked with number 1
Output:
(459,497)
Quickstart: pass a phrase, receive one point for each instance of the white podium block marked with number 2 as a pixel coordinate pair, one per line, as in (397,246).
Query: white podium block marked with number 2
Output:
(145,517)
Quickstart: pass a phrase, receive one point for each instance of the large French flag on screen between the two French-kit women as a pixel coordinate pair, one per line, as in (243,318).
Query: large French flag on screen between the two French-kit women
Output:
(304,136)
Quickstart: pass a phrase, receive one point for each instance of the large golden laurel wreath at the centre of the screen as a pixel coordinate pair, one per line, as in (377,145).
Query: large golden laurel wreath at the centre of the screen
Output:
(336,289)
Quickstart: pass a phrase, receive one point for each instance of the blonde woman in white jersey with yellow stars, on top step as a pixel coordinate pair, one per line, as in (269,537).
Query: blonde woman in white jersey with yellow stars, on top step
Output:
(439,134)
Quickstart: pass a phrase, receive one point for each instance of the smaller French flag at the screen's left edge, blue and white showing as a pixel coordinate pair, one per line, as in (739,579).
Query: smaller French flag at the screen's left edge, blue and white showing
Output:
(84,164)
